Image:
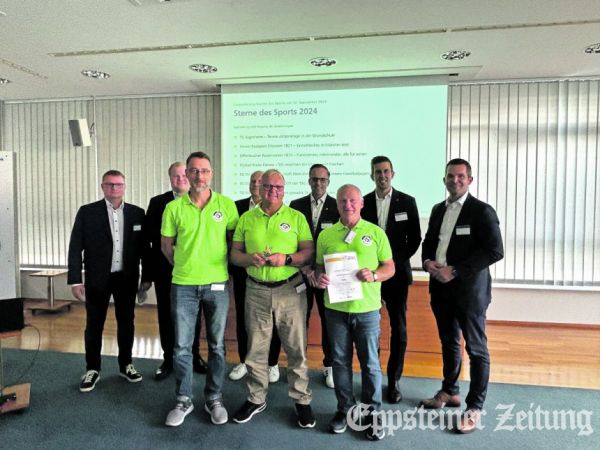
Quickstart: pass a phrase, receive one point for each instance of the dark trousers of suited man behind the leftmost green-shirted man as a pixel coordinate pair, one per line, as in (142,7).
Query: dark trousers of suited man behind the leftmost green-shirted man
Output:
(162,288)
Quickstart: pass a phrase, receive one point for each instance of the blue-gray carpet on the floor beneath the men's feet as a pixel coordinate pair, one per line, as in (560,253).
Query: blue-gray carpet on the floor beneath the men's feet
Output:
(119,415)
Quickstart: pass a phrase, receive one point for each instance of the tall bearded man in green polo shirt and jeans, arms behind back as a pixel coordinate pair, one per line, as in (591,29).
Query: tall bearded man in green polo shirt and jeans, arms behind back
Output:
(195,232)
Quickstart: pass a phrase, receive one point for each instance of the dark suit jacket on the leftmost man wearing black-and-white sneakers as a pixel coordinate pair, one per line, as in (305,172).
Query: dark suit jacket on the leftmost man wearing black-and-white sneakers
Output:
(91,243)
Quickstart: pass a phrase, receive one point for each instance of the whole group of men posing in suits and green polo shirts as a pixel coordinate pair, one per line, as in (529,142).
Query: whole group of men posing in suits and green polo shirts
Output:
(277,277)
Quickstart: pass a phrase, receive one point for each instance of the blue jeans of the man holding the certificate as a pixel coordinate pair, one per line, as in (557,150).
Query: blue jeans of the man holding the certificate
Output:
(362,330)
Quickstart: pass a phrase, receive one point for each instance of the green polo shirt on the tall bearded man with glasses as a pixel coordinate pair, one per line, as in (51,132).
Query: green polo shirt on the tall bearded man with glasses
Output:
(200,255)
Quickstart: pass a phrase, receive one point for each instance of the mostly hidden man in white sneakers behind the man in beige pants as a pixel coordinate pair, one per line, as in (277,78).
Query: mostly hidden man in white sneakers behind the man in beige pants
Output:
(239,275)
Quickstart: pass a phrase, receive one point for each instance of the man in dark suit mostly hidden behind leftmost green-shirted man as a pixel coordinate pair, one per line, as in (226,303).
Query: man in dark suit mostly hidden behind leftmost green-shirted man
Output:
(159,270)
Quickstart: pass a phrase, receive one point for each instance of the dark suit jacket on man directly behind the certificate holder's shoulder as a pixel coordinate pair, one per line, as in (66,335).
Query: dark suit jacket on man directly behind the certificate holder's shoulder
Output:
(404,235)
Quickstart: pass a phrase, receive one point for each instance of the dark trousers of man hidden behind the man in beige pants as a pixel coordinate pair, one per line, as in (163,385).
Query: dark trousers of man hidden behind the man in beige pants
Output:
(239,276)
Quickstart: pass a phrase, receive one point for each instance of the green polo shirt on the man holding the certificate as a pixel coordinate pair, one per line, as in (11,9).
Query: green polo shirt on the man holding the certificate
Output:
(371,246)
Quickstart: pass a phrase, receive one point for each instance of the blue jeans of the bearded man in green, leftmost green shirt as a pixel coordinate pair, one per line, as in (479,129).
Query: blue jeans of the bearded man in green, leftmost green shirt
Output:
(185,301)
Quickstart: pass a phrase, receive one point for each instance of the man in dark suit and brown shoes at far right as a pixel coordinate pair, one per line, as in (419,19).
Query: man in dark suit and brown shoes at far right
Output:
(463,239)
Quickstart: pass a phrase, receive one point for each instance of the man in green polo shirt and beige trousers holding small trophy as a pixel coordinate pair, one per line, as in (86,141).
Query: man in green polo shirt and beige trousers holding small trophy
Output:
(272,242)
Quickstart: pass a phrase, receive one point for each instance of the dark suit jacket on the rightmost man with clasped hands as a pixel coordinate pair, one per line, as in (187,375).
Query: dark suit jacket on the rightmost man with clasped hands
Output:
(471,254)
